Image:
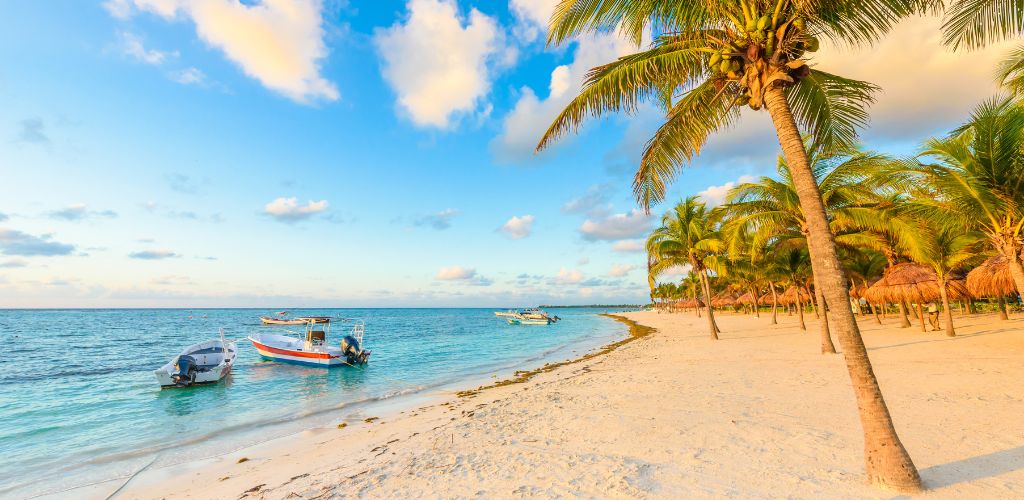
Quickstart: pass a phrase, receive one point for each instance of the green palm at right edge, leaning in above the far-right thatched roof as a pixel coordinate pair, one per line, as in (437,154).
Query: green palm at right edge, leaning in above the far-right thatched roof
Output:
(976,178)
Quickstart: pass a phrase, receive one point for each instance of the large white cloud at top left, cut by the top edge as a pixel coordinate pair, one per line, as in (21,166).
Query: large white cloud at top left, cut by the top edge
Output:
(278,43)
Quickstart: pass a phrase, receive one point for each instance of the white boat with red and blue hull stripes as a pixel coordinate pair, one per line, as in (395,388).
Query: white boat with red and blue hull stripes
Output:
(313,348)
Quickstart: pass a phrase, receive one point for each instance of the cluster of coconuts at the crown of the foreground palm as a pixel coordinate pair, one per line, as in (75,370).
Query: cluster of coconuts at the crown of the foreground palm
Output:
(761,52)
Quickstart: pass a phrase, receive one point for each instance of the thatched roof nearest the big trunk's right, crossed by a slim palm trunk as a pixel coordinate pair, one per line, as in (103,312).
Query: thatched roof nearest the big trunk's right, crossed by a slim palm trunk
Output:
(914,283)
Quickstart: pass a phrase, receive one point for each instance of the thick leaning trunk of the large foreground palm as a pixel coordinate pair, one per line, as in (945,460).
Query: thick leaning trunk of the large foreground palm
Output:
(886,461)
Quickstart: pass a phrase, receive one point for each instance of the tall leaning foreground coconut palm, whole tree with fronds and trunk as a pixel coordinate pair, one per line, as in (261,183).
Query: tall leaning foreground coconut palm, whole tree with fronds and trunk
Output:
(710,60)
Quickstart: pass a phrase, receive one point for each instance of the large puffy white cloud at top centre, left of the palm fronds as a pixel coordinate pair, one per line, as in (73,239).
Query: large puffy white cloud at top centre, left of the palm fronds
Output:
(438,63)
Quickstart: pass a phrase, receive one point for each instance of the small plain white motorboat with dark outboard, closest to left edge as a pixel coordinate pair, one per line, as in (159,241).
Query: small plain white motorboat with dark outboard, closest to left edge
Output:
(199,364)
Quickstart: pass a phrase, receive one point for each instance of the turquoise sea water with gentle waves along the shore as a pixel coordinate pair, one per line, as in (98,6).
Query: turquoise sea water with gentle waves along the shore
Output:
(79,403)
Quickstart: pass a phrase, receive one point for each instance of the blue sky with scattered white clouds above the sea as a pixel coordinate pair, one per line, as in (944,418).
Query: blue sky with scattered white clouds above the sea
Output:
(330,153)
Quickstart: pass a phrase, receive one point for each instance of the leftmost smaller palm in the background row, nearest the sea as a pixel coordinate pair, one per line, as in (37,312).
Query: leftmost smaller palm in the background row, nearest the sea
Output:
(688,237)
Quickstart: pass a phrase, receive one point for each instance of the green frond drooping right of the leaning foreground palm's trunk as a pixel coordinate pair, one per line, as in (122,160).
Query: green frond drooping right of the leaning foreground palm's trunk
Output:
(831,108)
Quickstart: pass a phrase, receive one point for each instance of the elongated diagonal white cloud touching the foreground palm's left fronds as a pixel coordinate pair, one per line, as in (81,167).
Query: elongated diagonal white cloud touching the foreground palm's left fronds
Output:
(532,115)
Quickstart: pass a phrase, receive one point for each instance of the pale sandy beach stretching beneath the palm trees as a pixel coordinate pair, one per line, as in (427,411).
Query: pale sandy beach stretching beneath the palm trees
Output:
(759,413)
